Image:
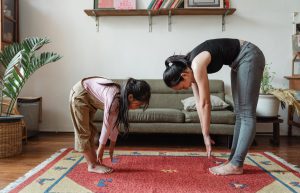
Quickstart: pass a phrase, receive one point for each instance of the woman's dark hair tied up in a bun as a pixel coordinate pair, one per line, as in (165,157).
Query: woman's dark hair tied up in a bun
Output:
(172,74)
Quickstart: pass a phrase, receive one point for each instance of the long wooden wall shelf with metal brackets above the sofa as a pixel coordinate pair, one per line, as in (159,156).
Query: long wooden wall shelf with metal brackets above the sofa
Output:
(169,12)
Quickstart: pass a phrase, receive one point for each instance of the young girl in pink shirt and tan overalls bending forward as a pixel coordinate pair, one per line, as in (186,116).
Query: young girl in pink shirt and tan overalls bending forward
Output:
(94,93)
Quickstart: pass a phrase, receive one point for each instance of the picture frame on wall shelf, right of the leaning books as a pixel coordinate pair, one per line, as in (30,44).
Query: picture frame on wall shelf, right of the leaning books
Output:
(203,4)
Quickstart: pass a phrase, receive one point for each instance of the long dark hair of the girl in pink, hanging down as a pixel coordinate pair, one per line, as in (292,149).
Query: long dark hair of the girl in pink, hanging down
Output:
(140,91)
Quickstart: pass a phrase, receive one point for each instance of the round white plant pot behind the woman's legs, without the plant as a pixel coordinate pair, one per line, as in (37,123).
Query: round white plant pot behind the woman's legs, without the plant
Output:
(267,106)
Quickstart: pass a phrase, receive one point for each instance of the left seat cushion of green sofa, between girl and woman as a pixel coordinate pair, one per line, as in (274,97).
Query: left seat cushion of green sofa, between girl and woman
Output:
(158,115)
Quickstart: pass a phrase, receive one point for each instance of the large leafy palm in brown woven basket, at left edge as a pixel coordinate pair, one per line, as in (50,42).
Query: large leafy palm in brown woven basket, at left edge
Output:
(17,63)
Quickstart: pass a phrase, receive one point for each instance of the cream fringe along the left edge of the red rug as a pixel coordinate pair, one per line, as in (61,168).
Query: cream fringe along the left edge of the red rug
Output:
(31,172)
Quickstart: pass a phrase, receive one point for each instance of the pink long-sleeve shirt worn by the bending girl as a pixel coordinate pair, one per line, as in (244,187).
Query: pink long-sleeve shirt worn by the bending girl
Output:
(105,95)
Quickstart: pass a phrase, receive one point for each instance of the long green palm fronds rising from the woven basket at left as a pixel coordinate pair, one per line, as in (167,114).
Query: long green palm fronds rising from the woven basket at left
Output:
(18,63)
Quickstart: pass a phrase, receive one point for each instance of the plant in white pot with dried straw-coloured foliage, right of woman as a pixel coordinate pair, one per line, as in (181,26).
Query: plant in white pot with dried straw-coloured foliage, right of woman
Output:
(270,97)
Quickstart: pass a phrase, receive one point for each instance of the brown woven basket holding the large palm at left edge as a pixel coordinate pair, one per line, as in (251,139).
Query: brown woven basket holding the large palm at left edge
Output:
(10,138)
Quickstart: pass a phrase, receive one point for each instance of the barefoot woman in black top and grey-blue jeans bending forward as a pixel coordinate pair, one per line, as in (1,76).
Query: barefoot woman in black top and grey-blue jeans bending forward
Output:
(247,64)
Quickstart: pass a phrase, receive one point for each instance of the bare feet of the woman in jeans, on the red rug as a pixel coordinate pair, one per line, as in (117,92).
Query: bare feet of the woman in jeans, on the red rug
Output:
(225,170)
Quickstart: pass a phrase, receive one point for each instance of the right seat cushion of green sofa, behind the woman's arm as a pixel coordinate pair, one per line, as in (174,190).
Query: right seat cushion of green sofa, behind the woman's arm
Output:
(217,117)
